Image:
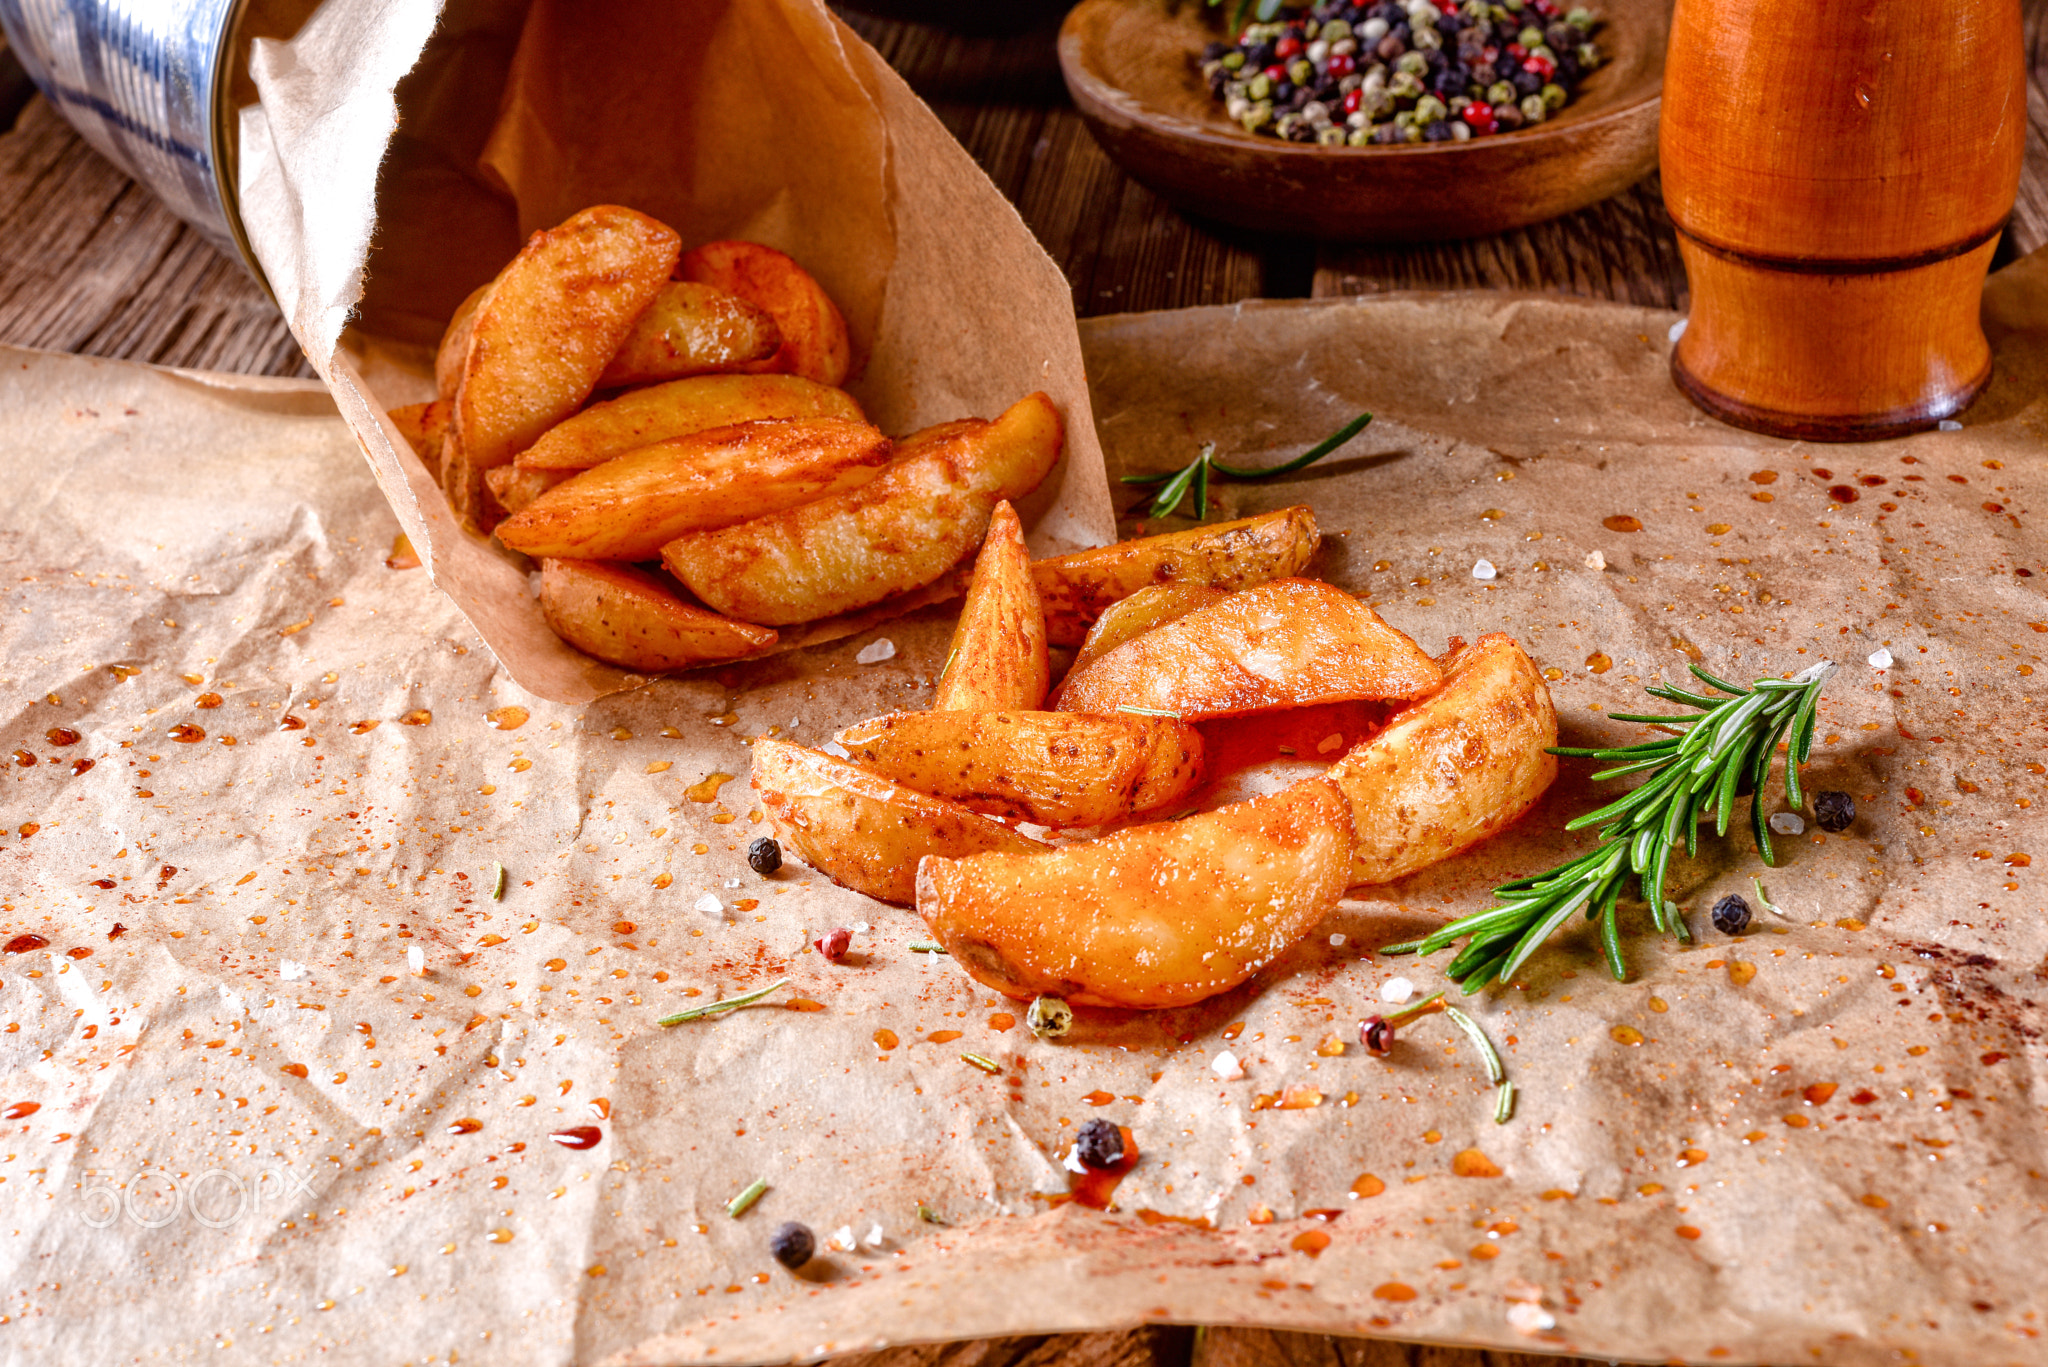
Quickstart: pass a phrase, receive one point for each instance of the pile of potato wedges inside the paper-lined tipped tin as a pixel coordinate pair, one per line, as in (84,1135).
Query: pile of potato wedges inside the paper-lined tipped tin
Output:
(667,436)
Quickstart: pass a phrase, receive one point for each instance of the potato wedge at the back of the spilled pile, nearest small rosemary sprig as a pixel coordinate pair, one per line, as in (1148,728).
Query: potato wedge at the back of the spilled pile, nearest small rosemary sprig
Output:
(1080,587)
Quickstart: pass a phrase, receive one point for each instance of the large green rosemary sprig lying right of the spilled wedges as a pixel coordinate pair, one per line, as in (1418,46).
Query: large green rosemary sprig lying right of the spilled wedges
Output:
(1727,745)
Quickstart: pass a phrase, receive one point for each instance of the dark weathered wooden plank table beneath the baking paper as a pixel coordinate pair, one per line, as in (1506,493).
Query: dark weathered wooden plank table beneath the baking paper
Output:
(97,265)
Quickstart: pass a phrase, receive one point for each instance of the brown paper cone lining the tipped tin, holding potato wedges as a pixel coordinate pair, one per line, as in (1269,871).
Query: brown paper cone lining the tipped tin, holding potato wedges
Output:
(396,161)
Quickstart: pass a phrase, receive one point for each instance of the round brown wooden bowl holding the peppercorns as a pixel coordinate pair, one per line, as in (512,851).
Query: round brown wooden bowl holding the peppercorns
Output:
(1134,73)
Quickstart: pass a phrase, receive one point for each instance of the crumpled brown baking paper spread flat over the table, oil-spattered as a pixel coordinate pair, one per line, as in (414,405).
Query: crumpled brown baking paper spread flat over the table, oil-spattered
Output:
(247,1128)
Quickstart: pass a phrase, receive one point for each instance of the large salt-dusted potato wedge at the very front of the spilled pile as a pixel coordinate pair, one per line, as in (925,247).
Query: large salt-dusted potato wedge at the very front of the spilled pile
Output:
(1152,917)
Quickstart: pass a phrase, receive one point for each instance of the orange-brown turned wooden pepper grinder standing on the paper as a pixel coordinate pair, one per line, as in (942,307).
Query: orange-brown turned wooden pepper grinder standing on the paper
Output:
(1838,173)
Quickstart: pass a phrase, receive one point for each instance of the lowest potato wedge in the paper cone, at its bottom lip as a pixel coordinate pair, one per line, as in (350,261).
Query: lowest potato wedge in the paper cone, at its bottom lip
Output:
(632,620)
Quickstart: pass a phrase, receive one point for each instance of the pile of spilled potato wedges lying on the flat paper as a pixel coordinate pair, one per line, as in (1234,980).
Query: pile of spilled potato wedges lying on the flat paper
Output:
(1056,837)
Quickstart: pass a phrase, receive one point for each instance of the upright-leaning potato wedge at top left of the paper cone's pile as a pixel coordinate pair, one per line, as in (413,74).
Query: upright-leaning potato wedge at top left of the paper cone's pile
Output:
(548,331)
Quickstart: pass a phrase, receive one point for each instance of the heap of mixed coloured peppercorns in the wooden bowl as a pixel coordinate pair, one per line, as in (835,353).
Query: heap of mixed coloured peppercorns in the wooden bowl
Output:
(1357,75)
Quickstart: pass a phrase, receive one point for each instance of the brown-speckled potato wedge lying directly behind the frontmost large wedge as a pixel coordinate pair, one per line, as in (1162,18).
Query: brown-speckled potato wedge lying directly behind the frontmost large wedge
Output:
(1046,768)
